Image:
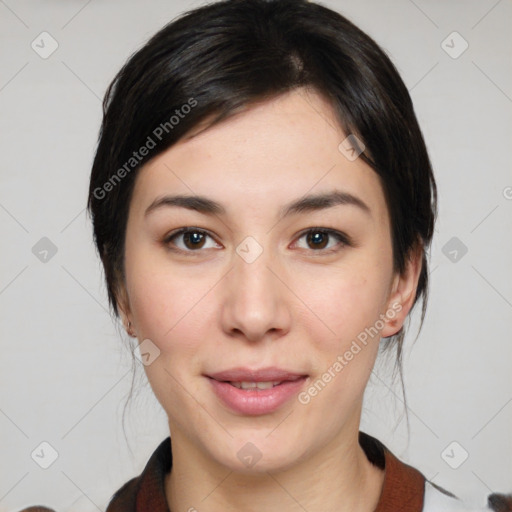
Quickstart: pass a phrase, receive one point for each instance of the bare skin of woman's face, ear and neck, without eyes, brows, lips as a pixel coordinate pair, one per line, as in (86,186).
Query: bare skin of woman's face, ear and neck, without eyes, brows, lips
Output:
(295,307)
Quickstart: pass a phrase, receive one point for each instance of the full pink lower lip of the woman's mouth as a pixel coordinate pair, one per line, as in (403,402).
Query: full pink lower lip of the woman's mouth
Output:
(253,403)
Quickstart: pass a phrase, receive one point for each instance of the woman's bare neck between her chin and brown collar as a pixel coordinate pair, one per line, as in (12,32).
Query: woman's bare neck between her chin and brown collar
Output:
(339,478)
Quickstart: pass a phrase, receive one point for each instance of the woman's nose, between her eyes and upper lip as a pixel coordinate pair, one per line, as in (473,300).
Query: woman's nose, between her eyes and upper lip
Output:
(256,301)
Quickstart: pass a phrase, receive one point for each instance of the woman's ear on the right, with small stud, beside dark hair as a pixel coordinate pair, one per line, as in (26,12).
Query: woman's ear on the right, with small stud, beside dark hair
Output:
(403,293)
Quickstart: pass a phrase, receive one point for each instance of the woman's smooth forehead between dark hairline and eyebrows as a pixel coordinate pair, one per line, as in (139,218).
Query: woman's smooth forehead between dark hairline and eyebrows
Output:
(262,158)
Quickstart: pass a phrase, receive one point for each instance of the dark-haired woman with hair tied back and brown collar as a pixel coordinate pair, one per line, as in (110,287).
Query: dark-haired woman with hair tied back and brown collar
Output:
(263,203)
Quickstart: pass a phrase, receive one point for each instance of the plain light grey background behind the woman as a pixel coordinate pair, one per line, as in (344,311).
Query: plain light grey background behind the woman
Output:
(64,371)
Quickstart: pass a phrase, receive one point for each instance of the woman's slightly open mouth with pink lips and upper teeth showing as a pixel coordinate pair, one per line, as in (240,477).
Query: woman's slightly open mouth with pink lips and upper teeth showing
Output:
(254,392)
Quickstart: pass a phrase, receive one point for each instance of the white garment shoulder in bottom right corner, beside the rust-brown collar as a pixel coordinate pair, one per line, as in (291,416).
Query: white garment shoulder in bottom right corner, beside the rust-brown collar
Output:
(438,499)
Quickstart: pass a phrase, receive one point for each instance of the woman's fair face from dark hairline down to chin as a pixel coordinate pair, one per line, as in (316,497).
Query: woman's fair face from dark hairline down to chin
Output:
(295,298)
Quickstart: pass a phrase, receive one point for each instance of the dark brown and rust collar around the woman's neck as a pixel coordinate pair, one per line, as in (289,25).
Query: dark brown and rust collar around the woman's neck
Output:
(403,488)
